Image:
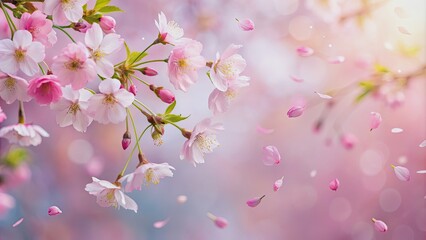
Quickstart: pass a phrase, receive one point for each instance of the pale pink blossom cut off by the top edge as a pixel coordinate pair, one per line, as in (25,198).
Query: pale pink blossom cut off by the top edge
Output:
(64,11)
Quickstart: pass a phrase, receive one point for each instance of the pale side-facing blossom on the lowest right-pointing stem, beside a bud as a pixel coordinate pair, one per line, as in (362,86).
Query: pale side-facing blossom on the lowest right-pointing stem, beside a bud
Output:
(202,140)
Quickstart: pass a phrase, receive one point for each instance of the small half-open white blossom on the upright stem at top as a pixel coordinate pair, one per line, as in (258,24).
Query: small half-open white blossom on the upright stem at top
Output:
(169,32)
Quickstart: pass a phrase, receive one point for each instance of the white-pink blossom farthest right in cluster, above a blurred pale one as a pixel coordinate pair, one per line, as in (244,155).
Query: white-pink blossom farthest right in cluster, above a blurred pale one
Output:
(227,67)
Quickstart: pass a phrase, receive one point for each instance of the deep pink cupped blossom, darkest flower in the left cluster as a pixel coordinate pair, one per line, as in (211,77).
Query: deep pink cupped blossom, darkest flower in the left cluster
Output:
(45,89)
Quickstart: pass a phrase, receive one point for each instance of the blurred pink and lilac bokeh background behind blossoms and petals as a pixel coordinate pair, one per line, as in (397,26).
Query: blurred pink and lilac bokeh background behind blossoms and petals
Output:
(390,33)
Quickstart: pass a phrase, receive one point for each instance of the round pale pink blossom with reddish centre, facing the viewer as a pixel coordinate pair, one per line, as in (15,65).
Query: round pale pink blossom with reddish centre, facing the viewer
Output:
(74,67)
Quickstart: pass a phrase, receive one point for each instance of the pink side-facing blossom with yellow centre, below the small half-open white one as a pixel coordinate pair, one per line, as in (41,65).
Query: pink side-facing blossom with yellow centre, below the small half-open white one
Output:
(183,63)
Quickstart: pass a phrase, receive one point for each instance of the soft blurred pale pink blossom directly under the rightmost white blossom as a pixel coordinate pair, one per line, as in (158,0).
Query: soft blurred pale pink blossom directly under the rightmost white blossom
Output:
(219,101)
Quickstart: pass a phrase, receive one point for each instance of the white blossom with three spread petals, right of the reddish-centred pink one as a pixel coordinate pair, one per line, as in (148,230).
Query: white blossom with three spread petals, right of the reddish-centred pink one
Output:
(100,47)
